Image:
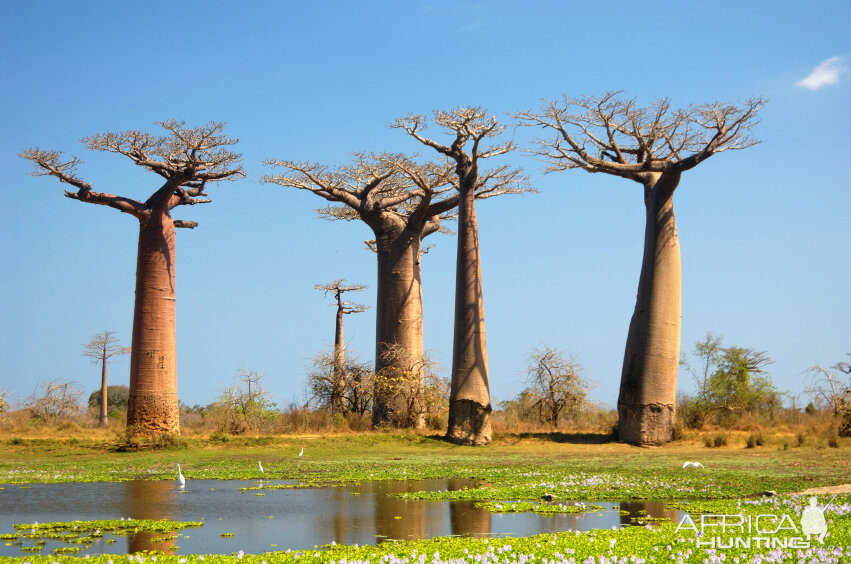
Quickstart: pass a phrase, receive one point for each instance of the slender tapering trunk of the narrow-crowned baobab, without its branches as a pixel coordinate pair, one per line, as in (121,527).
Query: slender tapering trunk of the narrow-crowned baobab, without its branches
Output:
(469,399)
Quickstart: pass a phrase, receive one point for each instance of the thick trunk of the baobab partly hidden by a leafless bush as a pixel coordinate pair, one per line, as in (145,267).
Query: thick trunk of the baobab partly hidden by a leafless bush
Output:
(398,313)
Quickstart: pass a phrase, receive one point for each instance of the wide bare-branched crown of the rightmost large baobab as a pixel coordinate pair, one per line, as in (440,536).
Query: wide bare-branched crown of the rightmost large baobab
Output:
(610,134)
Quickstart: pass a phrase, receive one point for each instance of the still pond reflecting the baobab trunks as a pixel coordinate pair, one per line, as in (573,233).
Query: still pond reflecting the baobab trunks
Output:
(280,519)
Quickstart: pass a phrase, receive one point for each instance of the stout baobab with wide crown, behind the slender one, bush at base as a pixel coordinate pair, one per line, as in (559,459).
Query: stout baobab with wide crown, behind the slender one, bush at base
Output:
(403,202)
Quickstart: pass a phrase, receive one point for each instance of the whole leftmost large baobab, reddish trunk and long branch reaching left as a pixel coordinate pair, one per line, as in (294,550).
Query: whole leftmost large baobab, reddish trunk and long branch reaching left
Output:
(187,158)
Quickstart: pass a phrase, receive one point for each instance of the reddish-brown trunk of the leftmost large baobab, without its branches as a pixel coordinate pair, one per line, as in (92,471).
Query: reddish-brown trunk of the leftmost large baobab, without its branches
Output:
(153,404)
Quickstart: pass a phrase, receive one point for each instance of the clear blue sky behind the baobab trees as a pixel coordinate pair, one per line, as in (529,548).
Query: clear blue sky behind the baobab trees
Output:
(764,232)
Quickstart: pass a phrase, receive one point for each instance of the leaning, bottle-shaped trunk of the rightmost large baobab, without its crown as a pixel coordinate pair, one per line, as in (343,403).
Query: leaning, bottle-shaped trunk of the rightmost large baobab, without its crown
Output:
(646,406)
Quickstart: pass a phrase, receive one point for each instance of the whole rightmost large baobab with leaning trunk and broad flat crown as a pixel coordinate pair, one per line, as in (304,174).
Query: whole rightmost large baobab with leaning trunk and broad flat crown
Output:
(653,146)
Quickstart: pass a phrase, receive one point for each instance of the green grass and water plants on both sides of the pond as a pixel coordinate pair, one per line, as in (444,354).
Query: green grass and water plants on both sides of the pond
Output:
(515,469)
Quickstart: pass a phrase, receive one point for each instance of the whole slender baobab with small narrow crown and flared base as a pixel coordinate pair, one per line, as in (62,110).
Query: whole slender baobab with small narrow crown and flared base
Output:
(469,399)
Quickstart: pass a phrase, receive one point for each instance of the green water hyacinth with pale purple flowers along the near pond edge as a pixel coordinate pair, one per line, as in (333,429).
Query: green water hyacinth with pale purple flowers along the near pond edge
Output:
(626,545)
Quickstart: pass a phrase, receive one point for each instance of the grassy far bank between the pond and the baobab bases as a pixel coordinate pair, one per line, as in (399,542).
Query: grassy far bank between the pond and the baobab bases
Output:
(735,470)
